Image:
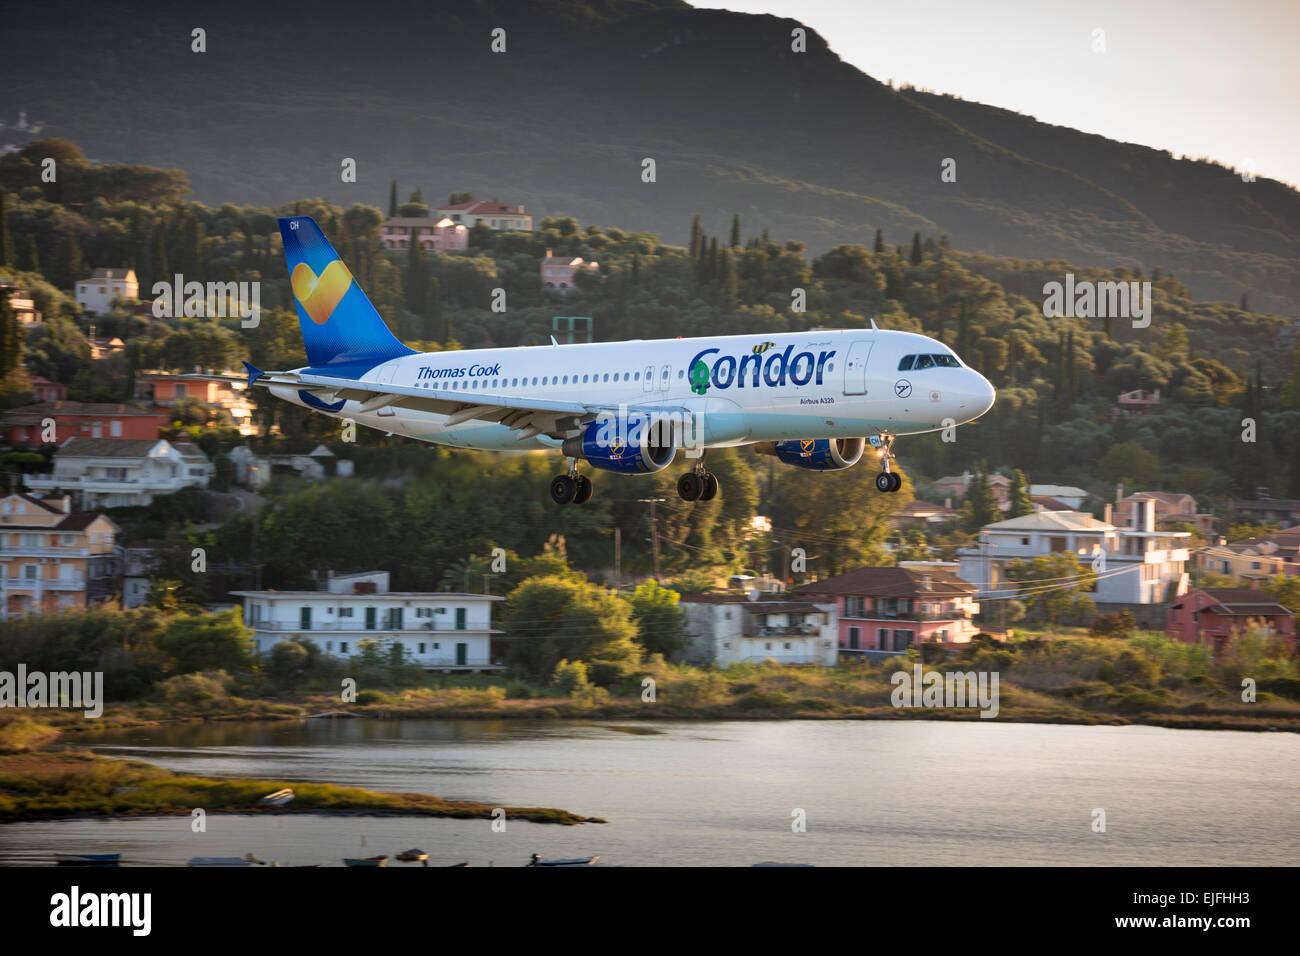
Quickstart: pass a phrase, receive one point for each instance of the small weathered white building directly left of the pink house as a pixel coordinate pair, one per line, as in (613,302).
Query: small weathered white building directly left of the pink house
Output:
(727,629)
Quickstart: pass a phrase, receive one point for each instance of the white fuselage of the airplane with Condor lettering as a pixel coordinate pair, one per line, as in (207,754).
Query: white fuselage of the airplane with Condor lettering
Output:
(740,388)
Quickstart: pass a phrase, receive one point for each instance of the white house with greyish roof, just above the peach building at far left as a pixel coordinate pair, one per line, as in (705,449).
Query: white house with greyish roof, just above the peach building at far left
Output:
(115,473)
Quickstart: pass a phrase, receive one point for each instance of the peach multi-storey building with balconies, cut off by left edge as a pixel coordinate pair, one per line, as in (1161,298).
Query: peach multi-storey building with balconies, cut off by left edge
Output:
(51,559)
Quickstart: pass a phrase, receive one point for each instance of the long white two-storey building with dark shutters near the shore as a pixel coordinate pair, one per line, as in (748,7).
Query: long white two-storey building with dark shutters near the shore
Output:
(441,631)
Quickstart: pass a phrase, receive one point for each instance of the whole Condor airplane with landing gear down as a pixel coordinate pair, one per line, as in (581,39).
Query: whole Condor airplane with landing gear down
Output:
(814,400)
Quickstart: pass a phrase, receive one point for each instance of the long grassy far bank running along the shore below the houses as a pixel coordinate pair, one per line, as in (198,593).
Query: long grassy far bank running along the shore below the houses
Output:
(1052,677)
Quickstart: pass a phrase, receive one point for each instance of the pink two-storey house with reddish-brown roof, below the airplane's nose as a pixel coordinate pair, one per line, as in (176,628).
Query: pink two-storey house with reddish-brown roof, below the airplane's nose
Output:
(896,608)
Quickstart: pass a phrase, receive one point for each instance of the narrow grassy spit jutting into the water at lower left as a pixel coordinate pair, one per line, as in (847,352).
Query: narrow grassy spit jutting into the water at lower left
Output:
(42,785)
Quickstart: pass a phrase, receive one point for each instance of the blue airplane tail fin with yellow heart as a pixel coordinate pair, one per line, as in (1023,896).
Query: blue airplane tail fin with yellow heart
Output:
(341,328)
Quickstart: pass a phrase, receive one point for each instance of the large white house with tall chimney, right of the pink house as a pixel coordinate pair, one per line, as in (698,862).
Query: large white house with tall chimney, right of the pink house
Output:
(1138,566)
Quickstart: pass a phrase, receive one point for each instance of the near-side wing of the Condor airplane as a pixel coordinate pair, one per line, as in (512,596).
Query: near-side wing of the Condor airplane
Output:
(530,416)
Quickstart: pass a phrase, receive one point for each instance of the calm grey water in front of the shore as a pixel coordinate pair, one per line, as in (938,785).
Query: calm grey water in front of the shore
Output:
(889,793)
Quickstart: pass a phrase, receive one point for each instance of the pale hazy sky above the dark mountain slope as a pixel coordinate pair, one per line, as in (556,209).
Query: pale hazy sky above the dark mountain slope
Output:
(1214,79)
